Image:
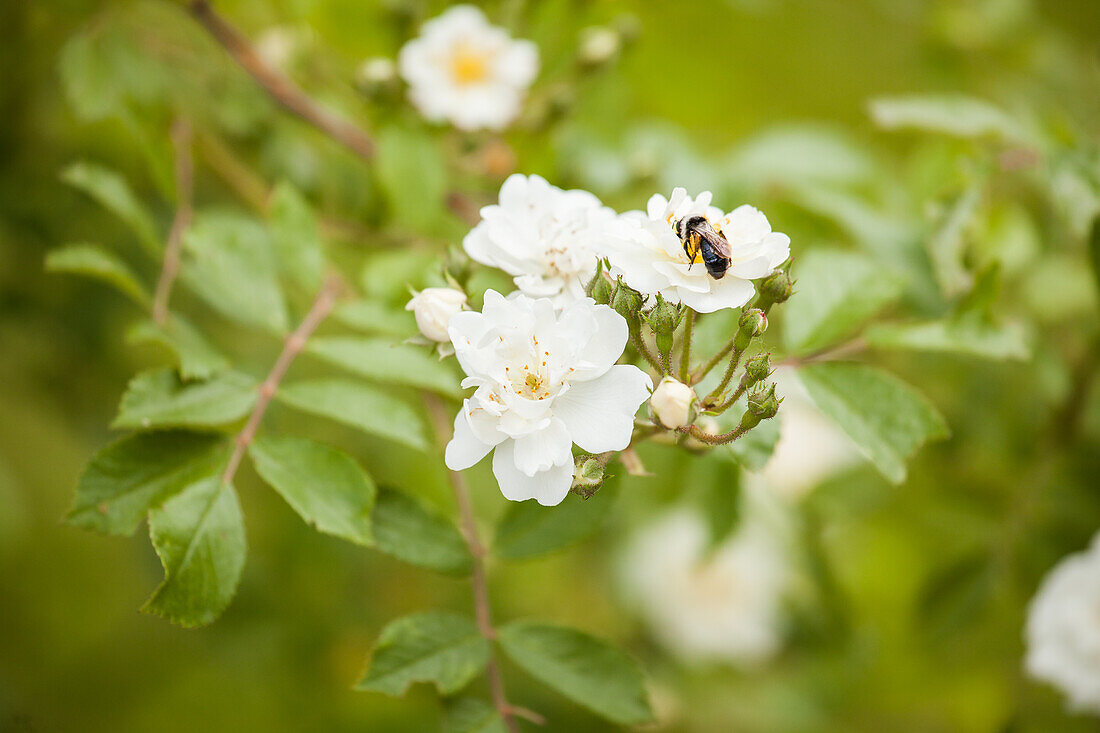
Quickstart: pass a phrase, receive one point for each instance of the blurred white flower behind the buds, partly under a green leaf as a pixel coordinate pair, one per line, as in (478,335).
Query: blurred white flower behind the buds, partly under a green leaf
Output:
(811,447)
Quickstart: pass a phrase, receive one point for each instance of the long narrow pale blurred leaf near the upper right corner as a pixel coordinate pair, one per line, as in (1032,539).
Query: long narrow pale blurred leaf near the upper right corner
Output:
(952,115)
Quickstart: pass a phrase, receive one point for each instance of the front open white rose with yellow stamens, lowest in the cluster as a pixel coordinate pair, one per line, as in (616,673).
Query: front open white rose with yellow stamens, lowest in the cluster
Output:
(545,381)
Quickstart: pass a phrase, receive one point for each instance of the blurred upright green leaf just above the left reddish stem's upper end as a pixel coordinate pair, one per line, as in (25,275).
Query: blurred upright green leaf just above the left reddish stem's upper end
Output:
(296,239)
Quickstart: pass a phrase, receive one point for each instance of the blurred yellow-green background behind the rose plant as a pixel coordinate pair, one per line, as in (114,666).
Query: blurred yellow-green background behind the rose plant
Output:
(906,644)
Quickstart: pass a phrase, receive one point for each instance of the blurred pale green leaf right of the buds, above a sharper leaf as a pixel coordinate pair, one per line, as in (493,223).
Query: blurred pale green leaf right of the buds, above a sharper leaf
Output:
(835,293)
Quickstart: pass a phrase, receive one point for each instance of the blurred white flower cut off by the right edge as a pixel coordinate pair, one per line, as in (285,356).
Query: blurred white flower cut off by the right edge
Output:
(1063,630)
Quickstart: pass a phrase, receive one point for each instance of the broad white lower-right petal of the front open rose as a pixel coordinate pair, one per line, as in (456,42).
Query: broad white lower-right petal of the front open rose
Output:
(600,414)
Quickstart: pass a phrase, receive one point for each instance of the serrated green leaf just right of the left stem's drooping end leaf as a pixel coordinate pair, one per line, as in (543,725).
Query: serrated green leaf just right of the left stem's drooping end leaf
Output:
(326,487)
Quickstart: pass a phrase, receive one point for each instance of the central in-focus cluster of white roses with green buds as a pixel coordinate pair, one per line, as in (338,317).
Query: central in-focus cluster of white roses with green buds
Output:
(544,360)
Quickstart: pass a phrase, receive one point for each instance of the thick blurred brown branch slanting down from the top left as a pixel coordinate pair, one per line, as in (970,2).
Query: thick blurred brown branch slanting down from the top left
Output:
(278,85)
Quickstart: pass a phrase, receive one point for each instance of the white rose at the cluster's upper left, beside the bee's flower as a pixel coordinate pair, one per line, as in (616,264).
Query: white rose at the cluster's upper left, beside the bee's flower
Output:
(544,237)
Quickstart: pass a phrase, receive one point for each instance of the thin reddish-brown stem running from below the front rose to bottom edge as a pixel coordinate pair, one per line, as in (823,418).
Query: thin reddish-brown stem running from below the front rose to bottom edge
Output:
(482,611)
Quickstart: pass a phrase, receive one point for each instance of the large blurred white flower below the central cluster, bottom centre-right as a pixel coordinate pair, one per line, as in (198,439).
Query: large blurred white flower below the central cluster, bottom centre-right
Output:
(719,606)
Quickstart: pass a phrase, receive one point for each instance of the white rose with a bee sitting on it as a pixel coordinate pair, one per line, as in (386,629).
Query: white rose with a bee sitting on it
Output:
(645,249)
